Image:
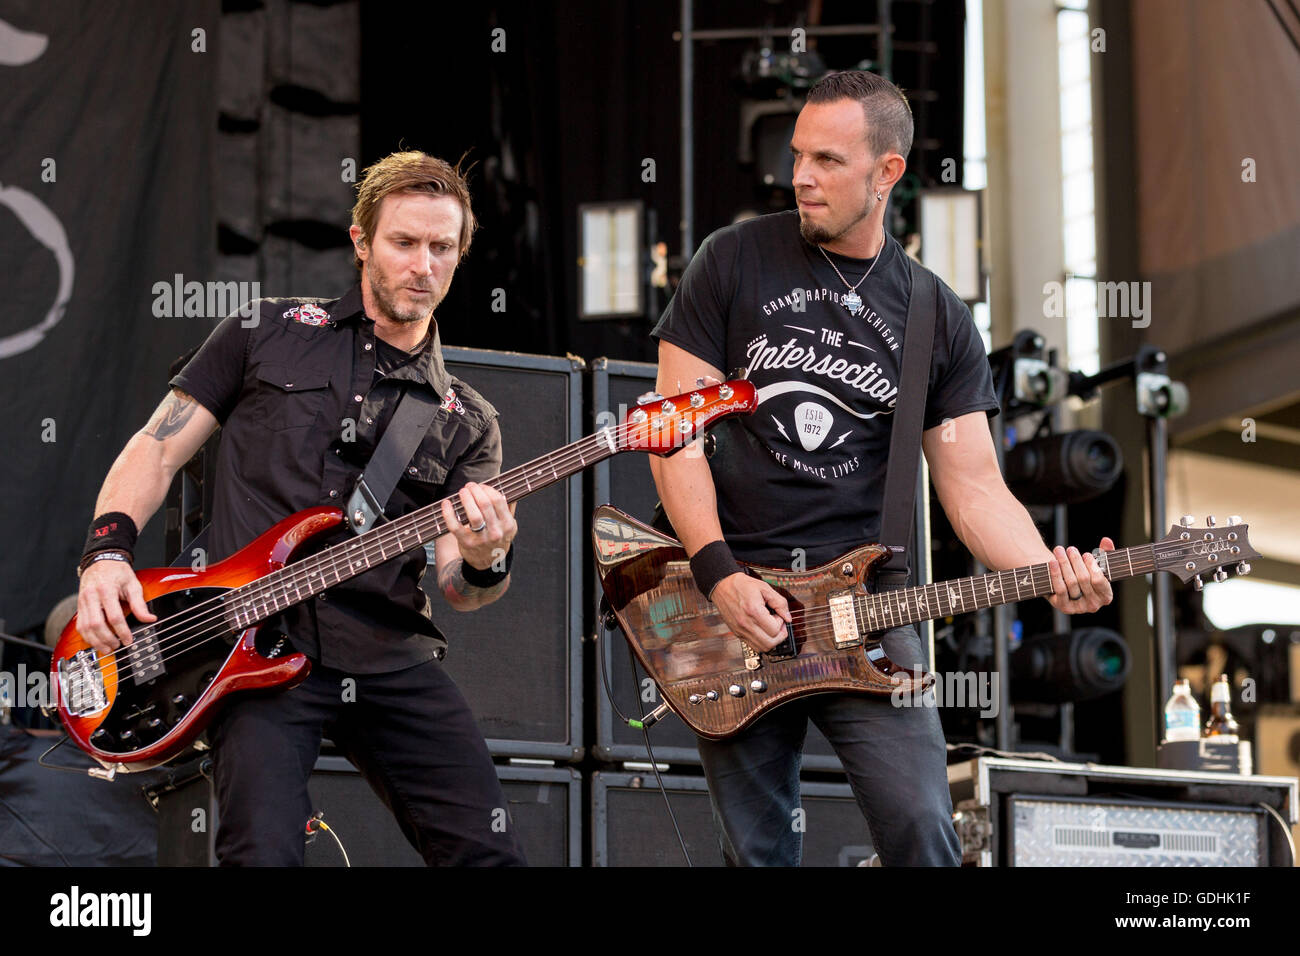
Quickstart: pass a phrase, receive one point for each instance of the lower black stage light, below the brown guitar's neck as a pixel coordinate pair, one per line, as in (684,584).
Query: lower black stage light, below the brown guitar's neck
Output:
(1081,665)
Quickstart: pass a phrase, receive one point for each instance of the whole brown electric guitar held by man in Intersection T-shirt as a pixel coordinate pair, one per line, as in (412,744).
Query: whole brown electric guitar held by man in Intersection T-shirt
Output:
(720,685)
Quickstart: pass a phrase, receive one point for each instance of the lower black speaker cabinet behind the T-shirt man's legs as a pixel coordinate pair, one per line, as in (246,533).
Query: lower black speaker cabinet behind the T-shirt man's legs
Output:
(631,825)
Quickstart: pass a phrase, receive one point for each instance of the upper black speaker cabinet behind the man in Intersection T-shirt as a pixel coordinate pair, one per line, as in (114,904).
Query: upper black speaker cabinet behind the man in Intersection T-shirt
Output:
(626,483)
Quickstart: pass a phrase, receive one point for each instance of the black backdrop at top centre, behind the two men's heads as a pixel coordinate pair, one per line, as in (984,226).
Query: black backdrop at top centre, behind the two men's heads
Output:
(583,94)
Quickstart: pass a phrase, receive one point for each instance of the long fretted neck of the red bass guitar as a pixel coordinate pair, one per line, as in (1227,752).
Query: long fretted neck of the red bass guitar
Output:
(310,577)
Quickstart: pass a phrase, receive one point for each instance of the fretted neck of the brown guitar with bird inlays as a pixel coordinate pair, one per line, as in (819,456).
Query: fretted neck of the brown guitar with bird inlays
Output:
(944,599)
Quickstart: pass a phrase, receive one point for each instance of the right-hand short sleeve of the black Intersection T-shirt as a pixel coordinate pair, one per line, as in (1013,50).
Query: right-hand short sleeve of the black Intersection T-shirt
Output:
(961,378)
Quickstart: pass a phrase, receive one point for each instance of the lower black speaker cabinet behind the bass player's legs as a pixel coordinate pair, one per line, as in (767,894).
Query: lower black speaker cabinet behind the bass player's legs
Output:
(544,803)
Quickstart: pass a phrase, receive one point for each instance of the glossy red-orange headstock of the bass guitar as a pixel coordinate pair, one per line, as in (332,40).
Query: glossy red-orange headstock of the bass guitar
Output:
(664,426)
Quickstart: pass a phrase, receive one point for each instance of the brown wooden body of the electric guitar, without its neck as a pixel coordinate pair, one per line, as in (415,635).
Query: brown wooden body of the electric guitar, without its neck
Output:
(713,681)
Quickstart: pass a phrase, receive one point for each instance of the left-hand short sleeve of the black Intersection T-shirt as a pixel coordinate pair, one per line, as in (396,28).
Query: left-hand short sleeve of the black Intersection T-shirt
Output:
(696,318)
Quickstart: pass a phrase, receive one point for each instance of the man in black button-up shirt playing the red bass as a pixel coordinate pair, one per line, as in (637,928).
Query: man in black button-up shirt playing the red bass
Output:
(304,391)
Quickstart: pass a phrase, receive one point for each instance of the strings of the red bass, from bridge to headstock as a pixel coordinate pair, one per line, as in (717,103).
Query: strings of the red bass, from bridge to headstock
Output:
(374,544)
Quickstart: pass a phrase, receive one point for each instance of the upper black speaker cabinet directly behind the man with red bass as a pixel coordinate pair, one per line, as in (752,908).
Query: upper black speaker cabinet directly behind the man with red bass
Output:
(519,661)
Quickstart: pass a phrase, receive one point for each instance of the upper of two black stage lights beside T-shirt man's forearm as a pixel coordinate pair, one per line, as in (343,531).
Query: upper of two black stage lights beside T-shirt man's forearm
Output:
(1063,469)
